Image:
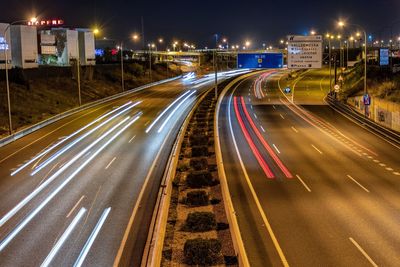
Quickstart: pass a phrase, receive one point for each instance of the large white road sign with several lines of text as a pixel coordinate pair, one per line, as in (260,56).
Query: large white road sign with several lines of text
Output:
(305,52)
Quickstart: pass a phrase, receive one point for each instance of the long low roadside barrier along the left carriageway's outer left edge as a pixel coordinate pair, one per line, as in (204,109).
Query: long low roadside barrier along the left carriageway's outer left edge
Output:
(30,129)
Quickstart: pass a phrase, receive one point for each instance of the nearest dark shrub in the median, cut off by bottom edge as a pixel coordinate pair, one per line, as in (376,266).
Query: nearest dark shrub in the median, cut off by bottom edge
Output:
(202,251)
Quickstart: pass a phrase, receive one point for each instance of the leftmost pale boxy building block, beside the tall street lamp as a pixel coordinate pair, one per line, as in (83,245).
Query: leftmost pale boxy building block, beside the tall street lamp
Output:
(24,46)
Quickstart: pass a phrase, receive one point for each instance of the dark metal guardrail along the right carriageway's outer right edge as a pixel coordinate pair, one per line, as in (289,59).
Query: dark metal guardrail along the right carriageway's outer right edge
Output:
(388,134)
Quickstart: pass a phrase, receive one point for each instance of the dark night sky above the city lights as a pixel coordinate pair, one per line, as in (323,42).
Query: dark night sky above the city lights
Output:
(197,21)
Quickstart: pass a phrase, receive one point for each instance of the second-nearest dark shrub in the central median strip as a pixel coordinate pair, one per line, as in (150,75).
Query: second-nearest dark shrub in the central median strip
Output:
(200,222)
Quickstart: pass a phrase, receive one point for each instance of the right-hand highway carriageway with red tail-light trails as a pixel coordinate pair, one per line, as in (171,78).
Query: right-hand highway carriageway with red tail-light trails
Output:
(309,186)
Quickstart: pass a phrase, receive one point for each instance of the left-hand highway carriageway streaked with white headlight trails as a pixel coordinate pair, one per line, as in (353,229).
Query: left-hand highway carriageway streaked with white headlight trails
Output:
(70,192)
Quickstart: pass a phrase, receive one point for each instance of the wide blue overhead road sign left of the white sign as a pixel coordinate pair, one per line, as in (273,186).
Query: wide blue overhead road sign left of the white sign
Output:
(260,60)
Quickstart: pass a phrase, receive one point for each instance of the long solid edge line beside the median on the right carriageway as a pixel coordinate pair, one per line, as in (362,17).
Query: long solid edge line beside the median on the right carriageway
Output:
(254,194)
